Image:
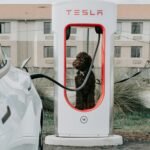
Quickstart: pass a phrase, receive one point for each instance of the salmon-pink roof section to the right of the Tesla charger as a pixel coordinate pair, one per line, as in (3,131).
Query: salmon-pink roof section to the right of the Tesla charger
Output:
(134,11)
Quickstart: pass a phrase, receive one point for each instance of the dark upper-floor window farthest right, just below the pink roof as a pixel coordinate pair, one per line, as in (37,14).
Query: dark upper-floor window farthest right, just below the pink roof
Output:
(137,27)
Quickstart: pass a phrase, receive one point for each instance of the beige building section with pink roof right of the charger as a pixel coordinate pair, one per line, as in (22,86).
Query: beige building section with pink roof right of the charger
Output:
(132,39)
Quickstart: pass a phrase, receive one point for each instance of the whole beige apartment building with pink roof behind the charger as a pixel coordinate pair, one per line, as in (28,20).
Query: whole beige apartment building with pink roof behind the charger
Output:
(25,31)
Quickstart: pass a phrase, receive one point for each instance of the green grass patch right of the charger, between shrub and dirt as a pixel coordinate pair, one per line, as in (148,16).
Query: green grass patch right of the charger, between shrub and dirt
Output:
(132,122)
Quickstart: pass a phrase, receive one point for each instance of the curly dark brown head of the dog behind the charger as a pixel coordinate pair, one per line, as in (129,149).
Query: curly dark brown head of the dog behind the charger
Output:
(82,61)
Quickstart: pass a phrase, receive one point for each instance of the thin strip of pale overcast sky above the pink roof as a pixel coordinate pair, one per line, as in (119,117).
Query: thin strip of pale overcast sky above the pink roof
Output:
(49,1)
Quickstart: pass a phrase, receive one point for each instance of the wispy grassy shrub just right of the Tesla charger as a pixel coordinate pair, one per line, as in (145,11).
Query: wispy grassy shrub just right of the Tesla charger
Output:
(126,98)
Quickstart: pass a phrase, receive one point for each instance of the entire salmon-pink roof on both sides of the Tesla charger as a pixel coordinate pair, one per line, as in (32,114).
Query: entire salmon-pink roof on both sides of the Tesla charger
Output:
(43,11)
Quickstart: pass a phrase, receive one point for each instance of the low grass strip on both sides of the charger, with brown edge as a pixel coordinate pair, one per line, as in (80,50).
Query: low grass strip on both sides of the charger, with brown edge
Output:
(132,126)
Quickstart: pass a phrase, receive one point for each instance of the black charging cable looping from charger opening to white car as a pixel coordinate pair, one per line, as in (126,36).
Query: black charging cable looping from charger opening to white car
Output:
(36,76)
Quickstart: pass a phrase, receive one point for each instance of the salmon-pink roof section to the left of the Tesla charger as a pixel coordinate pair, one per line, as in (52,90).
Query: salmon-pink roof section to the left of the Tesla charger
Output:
(25,11)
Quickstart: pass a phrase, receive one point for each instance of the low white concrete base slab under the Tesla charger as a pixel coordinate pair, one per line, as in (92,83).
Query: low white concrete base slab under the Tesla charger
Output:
(84,142)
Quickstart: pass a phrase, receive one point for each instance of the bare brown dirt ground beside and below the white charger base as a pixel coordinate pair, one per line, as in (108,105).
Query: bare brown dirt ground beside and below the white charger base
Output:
(132,141)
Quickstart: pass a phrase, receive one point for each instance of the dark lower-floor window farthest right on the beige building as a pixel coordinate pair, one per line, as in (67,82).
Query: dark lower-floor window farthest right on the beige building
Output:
(136,51)
